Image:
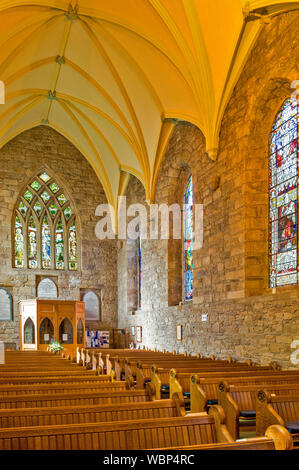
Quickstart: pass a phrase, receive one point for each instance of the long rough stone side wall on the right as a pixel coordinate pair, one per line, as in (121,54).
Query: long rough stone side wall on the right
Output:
(245,318)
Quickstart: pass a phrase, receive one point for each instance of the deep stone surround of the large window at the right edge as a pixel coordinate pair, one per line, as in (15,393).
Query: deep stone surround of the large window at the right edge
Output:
(262,115)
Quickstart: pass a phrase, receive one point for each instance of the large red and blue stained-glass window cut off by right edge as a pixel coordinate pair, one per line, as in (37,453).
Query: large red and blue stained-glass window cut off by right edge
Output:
(283,191)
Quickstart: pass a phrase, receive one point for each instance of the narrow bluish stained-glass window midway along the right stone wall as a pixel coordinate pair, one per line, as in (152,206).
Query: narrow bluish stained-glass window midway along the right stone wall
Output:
(188,240)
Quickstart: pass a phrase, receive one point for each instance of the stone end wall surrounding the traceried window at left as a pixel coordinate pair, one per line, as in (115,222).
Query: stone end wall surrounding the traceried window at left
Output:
(23,157)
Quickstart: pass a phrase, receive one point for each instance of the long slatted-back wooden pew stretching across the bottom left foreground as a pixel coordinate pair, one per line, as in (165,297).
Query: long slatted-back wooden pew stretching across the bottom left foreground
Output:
(122,435)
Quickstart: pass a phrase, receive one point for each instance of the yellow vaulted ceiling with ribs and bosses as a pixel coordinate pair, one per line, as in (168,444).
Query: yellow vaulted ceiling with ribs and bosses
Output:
(115,76)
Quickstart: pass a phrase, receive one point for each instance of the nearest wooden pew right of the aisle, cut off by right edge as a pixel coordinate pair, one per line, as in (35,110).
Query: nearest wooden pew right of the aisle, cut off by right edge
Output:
(277,409)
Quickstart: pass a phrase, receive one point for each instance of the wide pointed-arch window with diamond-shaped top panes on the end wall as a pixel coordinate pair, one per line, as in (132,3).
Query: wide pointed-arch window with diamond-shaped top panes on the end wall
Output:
(43,220)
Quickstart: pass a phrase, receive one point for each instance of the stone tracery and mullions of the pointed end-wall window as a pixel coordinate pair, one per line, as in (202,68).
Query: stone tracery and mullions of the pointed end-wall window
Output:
(53,224)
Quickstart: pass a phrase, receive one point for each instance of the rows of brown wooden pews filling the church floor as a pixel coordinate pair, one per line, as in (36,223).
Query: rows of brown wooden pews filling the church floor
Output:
(52,402)
